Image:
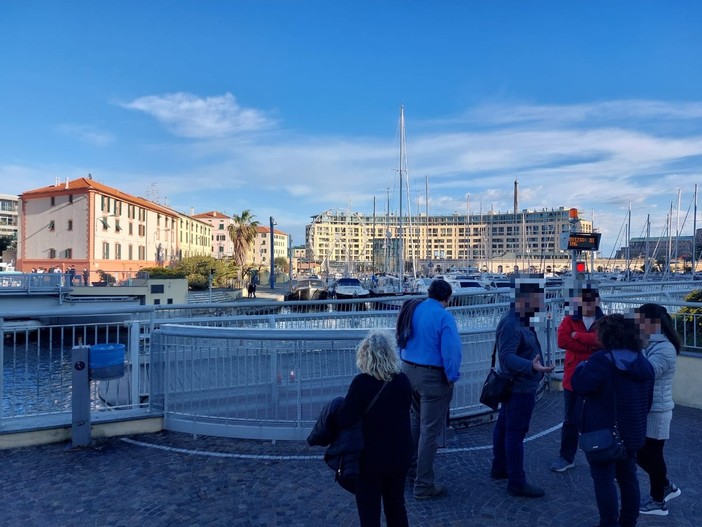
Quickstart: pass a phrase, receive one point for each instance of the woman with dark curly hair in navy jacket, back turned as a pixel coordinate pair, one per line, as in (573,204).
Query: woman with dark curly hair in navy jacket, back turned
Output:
(617,384)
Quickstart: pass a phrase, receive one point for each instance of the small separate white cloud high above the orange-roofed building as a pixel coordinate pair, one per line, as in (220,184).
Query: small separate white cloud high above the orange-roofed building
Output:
(188,115)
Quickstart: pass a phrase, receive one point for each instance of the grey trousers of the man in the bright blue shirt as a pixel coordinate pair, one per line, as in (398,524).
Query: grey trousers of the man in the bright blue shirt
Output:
(431,398)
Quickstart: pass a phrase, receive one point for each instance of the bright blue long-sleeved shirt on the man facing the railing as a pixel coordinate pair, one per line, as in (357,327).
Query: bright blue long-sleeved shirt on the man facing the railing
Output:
(435,340)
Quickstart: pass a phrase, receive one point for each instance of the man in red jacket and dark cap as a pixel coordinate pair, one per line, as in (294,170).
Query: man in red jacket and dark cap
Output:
(577,335)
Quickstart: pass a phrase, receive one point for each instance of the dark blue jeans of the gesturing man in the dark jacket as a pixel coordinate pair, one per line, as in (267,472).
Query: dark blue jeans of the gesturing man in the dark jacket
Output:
(508,437)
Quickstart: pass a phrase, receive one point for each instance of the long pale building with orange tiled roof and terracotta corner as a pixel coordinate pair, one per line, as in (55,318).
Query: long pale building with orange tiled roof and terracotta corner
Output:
(90,225)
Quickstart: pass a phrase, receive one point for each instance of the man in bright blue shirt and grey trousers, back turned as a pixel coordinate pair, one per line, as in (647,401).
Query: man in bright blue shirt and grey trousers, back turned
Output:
(431,360)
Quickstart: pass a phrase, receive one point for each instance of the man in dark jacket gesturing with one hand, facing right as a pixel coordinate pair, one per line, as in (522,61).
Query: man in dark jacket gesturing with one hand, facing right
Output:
(519,354)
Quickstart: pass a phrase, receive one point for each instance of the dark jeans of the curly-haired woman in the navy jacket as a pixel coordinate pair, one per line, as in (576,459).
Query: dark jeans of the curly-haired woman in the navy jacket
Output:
(603,475)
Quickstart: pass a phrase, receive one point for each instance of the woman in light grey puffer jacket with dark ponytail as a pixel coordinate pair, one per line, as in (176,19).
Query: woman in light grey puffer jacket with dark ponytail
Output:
(662,348)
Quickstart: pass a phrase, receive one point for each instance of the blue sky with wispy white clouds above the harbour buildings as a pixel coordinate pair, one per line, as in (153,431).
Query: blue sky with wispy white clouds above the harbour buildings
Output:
(291,108)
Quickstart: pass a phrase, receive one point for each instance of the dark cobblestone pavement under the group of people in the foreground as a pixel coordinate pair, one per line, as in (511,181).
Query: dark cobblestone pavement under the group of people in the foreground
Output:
(171,479)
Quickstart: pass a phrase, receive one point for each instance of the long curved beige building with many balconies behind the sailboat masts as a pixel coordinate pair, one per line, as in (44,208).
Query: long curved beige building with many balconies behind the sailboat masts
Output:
(528,239)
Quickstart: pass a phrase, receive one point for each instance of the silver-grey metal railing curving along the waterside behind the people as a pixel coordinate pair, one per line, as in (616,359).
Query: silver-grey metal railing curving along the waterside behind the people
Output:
(270,339)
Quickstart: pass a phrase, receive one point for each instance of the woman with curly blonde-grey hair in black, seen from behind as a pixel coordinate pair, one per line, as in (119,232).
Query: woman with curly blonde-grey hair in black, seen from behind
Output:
(387,436)
